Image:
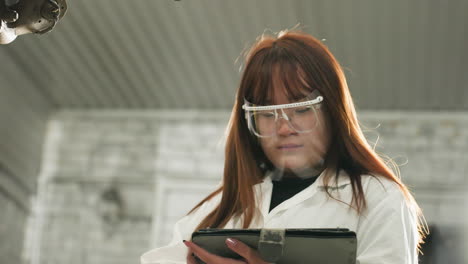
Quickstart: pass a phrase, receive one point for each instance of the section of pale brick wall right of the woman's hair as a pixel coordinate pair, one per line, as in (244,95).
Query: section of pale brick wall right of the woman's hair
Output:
(433,148)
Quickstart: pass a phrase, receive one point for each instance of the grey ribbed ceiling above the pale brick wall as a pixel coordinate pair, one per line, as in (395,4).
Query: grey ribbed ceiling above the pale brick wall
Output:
(164,54)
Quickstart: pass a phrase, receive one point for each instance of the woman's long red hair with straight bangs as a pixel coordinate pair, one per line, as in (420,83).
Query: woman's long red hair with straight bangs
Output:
(297,60)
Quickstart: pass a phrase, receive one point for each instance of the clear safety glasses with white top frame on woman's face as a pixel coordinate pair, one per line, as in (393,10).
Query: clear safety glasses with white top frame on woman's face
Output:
(301,116)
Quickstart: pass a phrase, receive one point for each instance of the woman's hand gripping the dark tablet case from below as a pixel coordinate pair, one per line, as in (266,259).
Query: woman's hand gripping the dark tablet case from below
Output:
(250,255)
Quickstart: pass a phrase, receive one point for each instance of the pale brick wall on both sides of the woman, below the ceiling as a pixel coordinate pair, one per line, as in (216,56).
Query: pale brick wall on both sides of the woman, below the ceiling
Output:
(148,154)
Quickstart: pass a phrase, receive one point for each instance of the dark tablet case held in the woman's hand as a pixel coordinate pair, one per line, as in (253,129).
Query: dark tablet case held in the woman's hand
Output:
(337,246)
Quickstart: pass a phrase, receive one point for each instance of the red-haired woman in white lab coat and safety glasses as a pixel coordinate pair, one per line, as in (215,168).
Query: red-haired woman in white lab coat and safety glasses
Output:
(296,158)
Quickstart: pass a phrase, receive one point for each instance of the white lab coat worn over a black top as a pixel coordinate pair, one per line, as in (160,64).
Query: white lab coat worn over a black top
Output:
(386,232)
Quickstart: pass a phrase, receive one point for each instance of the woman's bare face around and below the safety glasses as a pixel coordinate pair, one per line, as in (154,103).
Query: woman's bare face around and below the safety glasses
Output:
(290,150)
